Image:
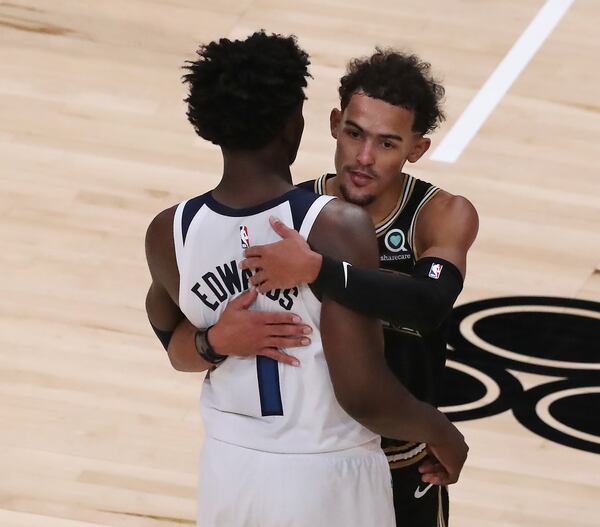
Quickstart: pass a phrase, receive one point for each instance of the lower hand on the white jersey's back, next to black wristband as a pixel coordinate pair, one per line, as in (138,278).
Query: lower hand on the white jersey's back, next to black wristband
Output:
(244,333)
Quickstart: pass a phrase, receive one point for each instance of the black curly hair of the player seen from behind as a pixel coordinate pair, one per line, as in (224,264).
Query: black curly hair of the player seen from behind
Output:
(241,92)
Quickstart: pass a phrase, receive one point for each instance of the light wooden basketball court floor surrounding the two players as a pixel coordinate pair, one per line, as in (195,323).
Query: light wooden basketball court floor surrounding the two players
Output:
(96,429)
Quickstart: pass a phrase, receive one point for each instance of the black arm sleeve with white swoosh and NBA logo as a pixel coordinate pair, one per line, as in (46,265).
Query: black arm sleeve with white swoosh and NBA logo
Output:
(420,301)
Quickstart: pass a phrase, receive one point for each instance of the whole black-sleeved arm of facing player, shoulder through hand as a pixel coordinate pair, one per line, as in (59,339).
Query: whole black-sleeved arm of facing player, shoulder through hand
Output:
(445,231)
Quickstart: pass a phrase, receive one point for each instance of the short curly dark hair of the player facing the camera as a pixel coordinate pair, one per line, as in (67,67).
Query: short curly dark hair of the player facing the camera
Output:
(400,79)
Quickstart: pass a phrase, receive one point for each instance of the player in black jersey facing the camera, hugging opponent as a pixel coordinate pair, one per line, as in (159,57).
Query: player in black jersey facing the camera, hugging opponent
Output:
(389,102)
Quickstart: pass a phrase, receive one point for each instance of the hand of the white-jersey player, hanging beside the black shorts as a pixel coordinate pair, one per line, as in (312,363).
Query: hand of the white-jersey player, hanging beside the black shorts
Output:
(446,460)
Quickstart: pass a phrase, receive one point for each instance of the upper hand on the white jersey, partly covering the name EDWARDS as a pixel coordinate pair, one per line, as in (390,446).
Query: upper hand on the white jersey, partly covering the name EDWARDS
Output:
(284,264)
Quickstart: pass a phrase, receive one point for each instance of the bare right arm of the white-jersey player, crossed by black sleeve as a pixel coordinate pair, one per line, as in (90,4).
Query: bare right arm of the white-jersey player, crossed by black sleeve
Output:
(353,345)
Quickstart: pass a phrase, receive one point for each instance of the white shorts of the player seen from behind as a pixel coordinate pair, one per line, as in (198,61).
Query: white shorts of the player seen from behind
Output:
(240,487)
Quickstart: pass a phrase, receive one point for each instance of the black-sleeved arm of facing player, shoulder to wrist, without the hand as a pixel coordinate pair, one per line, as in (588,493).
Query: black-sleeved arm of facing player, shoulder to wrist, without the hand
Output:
(445,231)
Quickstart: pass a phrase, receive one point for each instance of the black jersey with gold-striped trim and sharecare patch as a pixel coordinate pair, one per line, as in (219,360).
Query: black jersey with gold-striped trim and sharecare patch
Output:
(416,359)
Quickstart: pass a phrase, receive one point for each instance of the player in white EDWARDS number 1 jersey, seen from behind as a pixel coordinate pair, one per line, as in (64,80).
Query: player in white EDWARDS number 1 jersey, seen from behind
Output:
(294,446)
